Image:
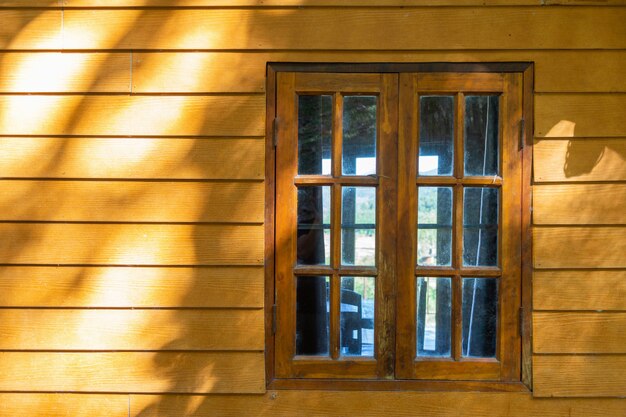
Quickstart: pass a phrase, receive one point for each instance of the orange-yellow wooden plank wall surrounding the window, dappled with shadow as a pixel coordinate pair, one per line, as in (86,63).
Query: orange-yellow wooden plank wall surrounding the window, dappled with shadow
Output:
(132,197)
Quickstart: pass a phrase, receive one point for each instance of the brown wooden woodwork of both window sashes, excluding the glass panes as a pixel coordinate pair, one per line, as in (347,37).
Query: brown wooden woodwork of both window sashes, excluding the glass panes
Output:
(395,339)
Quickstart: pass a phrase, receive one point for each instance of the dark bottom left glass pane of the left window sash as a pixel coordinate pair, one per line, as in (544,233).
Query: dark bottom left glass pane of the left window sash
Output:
(312,315)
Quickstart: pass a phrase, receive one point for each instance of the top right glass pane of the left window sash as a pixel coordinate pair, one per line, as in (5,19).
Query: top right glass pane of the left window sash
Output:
(359,135)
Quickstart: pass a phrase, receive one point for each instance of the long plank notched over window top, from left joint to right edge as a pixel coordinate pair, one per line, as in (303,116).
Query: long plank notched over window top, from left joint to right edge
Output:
(163,72)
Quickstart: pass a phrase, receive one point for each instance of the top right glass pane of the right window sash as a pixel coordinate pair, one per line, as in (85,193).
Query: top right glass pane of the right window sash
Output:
(481,135)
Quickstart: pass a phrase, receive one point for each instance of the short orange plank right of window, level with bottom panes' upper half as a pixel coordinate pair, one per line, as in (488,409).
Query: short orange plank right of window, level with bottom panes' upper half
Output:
(579,290)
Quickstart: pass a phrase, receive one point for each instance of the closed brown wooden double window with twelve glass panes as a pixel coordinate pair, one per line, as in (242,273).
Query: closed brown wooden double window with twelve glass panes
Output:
(398,240)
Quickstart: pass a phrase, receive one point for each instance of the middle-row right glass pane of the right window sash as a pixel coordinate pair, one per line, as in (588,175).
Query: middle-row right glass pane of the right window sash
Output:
(480,226)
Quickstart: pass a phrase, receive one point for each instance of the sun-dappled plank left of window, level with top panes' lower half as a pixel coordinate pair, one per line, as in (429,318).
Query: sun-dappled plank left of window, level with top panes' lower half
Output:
(126,158)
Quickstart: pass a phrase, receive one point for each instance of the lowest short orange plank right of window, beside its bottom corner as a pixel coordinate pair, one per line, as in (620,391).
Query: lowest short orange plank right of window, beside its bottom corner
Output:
(579,376)
